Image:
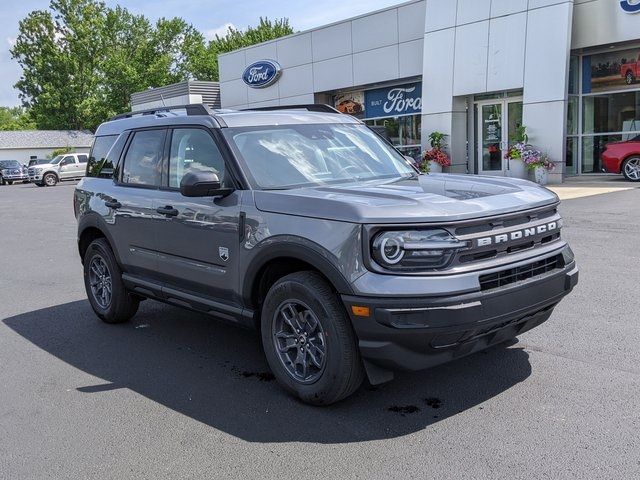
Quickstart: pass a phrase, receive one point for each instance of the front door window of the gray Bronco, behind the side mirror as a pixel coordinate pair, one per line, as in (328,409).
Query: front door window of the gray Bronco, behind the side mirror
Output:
(193,149)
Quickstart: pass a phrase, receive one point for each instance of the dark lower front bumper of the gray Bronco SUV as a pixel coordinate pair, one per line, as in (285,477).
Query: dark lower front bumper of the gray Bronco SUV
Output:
(418,333)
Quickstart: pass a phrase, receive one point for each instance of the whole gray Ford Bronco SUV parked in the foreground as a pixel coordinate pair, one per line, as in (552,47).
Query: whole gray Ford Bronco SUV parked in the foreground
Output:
(306,225)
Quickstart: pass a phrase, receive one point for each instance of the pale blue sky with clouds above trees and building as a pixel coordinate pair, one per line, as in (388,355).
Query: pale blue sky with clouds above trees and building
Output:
(208,16)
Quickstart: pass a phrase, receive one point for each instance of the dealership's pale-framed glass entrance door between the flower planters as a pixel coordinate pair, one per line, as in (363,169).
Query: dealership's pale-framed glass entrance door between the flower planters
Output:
(498,121)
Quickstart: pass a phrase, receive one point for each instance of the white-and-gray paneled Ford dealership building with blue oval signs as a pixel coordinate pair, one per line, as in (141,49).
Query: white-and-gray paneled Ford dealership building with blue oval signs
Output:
(475,70)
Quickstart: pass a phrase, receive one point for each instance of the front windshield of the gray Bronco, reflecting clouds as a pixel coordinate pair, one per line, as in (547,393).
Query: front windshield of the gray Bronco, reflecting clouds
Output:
(289,156)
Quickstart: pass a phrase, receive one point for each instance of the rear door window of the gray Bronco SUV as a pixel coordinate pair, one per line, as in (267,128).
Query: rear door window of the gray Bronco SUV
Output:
(143,161)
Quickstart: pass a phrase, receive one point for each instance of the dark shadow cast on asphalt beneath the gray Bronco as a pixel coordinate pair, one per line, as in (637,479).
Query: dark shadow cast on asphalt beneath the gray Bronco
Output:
(217,374)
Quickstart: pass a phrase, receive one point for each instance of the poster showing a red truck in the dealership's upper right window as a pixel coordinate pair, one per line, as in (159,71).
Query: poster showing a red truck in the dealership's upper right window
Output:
(611,71)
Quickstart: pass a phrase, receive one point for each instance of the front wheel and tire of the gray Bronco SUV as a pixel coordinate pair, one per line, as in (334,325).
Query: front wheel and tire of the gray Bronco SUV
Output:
(340,372)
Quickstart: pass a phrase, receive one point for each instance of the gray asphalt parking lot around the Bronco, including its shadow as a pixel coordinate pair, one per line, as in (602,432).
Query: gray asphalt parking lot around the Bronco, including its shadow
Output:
(176,394)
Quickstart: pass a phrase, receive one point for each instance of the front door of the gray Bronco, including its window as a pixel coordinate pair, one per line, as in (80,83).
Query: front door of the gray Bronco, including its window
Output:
(198,239)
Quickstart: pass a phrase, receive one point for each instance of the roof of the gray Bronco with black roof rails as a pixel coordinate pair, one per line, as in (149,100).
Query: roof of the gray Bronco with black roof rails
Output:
(223,119)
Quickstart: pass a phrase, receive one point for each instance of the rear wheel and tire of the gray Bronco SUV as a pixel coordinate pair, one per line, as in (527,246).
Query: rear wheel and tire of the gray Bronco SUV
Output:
(100,265)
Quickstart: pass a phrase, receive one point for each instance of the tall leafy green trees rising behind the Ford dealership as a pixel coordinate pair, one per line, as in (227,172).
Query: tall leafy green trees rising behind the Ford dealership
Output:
(81,60)
